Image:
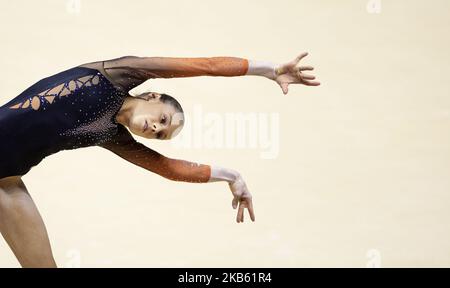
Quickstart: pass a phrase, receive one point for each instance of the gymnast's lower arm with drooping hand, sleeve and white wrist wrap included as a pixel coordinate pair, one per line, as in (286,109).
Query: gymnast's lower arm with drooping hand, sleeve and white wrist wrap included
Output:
(125,146)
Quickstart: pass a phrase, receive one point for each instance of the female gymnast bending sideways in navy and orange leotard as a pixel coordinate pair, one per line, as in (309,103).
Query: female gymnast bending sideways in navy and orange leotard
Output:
(89,105)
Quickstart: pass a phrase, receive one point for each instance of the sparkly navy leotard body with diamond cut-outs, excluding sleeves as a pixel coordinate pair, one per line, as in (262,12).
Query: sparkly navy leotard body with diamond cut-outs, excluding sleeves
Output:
(72,109)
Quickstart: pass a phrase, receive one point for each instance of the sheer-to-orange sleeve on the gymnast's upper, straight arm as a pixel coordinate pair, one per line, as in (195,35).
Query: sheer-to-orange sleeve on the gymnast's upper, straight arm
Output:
(130,71)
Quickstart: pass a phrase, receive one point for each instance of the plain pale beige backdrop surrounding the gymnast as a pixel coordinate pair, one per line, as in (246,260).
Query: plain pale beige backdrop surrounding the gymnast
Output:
(364,159)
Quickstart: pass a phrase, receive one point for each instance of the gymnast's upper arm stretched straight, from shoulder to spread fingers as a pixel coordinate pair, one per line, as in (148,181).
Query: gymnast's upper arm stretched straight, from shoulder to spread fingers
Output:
(131,71)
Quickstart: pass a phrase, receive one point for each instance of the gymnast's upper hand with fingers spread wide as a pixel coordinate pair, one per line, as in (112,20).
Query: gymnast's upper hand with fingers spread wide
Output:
(292,73)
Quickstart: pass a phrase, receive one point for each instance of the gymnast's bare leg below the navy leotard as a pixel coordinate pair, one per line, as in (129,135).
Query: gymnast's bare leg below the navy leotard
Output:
(21,225)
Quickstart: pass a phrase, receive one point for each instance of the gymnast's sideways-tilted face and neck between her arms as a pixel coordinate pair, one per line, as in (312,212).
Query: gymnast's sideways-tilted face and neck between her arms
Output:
(153,119)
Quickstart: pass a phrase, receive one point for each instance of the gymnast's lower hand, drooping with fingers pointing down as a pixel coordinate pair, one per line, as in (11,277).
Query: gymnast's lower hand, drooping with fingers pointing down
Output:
(242,199)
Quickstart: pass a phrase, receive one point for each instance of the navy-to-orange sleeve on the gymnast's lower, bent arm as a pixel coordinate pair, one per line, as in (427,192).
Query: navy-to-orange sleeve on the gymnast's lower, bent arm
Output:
(126,147)
